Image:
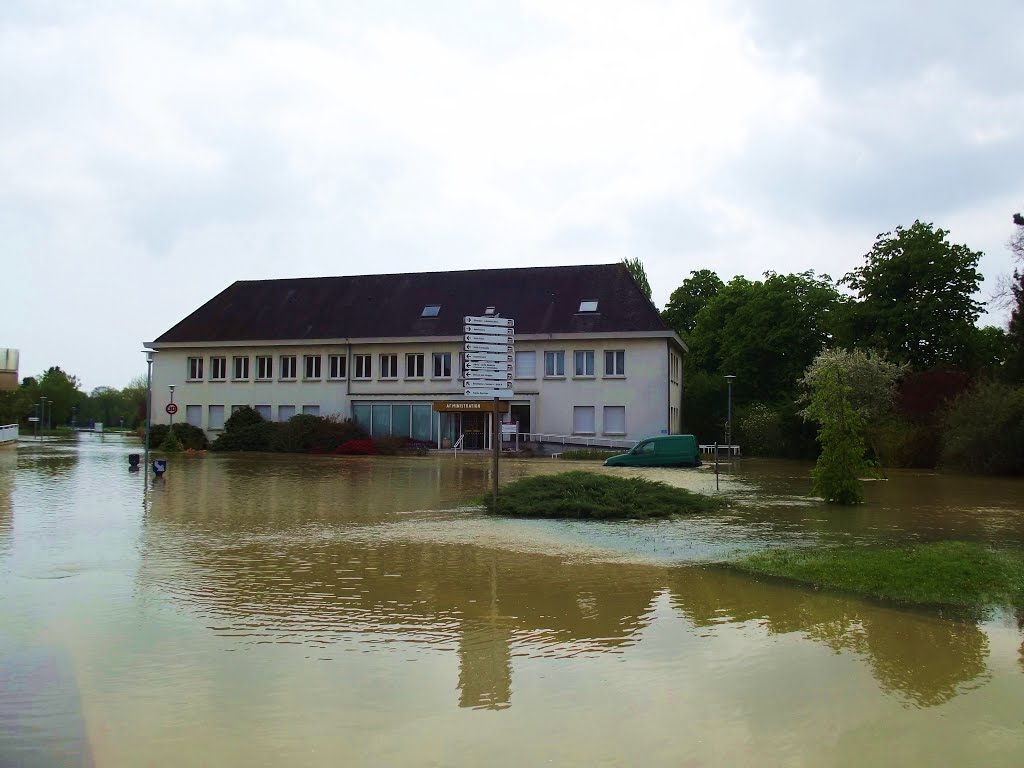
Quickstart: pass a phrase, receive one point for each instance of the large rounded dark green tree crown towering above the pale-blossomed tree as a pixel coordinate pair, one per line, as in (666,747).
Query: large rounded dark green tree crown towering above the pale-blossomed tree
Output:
(916,297)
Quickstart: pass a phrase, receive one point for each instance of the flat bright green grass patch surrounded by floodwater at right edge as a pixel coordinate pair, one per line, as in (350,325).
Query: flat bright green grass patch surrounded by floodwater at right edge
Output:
(960,574)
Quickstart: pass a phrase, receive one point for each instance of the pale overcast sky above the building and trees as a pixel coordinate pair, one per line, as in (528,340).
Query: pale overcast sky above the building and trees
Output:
(153,153)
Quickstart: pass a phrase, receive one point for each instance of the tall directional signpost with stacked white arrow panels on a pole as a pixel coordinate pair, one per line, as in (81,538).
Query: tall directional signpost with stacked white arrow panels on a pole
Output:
(490,368)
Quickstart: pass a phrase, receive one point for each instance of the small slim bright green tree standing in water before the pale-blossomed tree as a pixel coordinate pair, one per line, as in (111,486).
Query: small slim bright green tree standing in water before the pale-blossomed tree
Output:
(841,464)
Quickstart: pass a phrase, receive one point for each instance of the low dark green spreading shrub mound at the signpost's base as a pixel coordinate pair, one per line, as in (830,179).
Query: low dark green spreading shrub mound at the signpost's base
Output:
(586,495)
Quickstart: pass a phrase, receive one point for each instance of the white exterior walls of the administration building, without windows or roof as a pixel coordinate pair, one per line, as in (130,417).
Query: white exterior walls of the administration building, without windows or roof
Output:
(645,391)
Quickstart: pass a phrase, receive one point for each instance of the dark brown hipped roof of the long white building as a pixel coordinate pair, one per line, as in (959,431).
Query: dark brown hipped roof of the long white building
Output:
(541,301)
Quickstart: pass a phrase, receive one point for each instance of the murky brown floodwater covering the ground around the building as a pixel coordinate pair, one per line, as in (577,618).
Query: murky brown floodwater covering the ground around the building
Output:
(265,611)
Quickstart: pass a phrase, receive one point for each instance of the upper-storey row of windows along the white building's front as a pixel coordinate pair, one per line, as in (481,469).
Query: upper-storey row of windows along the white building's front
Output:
(337,366)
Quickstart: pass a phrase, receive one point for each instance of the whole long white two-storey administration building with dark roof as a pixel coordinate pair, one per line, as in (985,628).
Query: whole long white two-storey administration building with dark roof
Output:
(593,360)
